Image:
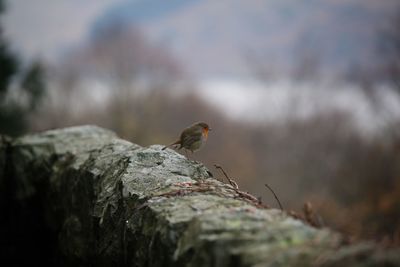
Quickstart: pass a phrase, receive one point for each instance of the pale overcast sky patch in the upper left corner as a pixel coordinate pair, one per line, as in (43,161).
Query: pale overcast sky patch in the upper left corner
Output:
(46,27)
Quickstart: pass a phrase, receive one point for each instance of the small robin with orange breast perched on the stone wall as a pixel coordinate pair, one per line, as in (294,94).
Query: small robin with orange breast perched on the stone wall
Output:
(193,137)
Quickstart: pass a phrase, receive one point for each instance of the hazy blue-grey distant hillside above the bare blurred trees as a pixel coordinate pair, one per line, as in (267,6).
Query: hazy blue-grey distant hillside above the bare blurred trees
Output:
(223,38)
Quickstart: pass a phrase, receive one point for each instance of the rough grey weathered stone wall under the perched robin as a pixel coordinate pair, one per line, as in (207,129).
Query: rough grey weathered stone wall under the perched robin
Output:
(109,202)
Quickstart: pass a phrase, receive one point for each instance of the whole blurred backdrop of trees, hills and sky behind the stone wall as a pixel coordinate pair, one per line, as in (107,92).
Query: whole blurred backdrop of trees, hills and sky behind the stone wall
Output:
(301,94)
